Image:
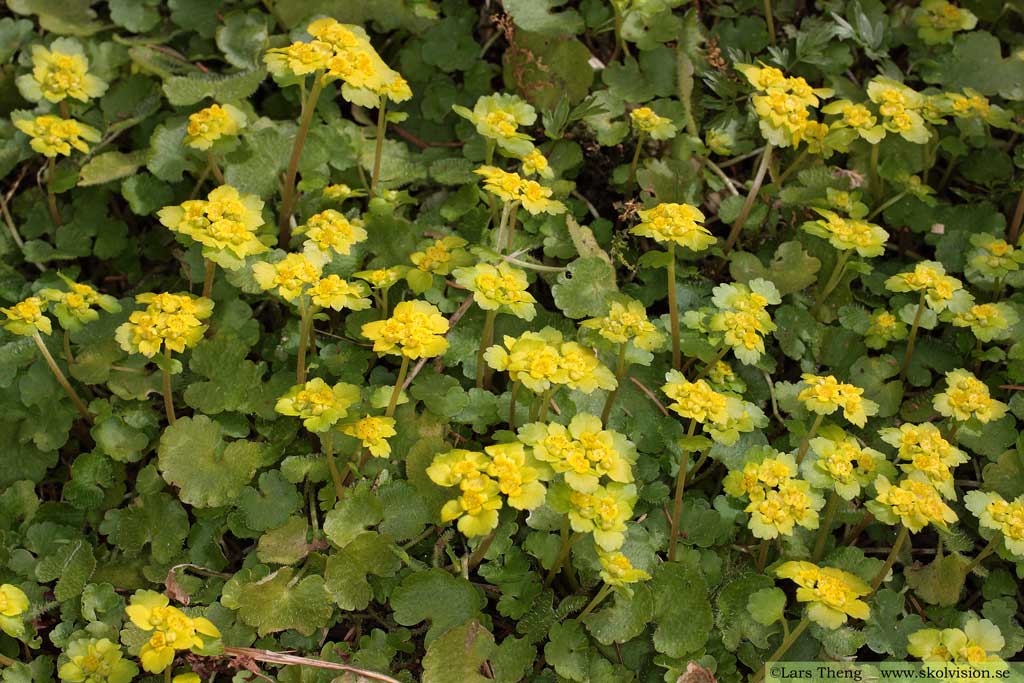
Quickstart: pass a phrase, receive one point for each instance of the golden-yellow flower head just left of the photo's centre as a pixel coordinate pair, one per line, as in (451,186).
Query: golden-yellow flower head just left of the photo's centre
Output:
(416,330)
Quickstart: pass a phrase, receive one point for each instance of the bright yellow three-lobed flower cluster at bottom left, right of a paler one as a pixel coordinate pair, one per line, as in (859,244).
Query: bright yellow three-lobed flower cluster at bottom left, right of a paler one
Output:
(173,630)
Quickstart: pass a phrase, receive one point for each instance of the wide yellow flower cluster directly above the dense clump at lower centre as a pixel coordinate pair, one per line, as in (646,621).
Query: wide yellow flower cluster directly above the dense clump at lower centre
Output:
(542,360)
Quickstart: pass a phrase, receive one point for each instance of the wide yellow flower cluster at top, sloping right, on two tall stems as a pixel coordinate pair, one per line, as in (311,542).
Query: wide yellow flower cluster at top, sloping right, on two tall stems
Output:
(342,52)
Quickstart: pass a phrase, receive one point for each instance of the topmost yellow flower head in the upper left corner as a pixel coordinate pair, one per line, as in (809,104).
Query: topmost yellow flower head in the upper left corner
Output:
(60,73)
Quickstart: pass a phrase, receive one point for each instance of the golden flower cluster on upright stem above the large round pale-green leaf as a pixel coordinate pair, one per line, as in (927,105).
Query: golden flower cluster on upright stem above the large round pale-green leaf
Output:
(174,322)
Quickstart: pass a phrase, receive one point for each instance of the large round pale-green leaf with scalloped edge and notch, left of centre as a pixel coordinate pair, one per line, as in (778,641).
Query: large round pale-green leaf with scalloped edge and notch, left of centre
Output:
(209,473)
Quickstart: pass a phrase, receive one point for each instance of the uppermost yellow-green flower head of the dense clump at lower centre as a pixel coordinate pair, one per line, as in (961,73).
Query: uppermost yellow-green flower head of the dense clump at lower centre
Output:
(584,453)
